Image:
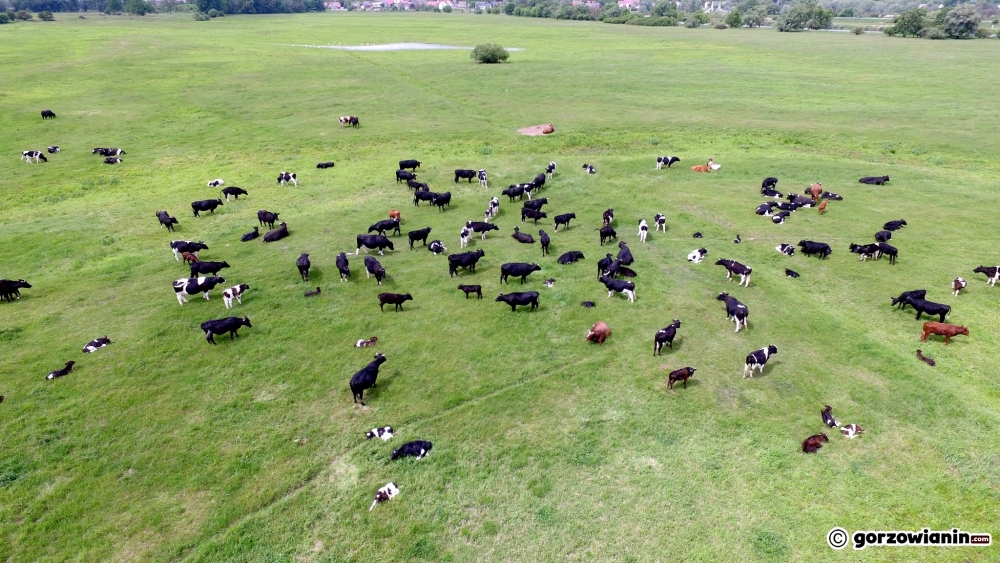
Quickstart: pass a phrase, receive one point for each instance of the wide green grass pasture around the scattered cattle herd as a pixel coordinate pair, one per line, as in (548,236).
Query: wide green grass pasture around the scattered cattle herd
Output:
(546,448)
